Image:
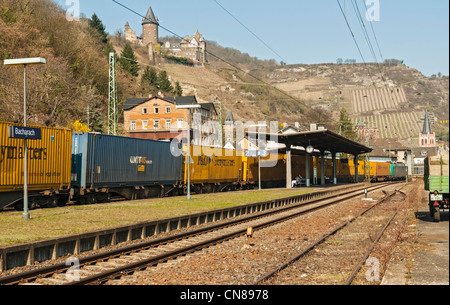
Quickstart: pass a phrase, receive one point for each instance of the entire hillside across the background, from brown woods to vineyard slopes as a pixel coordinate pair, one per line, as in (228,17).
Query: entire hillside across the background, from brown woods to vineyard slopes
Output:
(74,83)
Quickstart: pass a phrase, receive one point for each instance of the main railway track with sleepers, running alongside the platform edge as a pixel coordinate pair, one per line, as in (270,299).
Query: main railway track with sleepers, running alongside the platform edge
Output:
(101,268)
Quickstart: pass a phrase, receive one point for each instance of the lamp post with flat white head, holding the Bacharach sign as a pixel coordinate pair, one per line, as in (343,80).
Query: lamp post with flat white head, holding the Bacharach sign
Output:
(14,63)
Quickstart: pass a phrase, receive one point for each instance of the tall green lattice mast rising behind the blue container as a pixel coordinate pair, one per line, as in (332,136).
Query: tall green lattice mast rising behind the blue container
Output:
(113,112)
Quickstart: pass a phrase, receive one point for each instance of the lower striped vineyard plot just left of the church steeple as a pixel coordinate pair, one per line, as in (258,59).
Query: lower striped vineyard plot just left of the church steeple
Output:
(400,125)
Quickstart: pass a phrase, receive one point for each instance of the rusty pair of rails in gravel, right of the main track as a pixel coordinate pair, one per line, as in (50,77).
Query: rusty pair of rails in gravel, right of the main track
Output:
(275,272)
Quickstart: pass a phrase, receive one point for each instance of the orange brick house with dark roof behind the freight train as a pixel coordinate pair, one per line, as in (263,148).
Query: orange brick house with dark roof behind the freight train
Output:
(158,118)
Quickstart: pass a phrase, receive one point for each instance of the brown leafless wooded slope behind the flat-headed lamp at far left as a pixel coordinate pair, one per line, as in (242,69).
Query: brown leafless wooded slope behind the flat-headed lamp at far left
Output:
(74,77)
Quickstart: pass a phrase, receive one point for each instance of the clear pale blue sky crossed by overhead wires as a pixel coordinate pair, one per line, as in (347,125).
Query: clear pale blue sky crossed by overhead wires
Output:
(298,31)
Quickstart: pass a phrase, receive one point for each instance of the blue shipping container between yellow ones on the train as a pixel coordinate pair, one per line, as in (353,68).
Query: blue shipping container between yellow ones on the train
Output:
(112,161)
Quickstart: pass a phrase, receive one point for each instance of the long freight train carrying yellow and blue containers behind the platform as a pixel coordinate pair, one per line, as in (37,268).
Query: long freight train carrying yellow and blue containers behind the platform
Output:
(89,168)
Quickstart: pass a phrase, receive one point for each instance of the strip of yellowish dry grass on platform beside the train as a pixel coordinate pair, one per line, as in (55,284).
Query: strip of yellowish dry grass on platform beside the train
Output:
(53,223)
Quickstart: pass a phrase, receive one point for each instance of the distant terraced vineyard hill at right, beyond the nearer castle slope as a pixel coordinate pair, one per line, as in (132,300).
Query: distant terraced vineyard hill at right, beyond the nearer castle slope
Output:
(391,98)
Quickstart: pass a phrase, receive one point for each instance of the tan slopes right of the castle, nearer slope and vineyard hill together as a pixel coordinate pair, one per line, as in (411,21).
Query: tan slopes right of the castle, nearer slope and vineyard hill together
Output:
(392,98)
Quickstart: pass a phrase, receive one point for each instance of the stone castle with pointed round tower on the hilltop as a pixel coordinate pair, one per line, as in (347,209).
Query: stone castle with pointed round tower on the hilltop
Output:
(192,48)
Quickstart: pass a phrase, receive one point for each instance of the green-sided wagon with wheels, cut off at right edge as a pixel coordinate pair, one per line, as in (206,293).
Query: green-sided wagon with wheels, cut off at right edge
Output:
(437,184)
